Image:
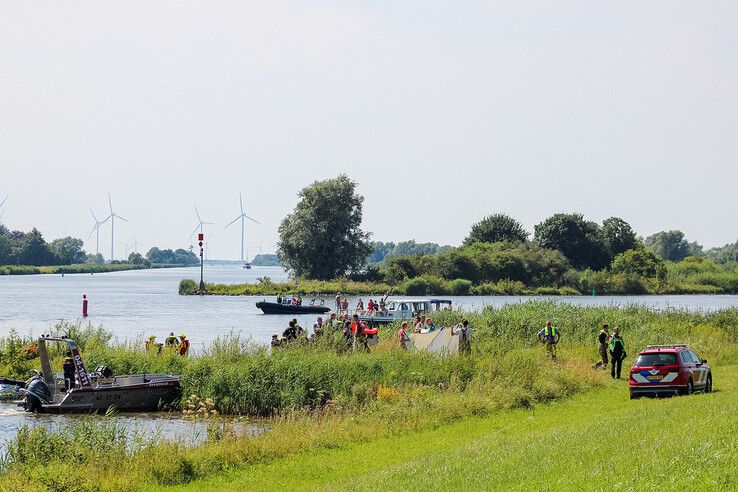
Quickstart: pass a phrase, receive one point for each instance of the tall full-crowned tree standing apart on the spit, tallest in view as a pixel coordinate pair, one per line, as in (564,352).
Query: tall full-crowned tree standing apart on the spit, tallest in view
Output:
(322,237)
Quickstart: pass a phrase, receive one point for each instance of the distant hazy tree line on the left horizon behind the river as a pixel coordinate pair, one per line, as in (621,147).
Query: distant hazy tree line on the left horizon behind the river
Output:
(30,248)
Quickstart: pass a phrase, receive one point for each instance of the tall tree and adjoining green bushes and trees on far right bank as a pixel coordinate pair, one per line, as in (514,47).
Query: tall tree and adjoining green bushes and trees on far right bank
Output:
(567,254)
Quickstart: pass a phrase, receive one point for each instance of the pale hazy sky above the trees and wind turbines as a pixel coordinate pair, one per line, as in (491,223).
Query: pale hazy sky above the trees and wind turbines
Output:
(442,112)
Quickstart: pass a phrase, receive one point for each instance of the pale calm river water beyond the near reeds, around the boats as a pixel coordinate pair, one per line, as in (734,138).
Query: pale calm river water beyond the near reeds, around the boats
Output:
(136,304)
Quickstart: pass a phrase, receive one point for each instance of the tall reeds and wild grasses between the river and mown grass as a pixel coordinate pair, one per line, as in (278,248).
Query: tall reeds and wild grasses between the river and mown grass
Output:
(318,397)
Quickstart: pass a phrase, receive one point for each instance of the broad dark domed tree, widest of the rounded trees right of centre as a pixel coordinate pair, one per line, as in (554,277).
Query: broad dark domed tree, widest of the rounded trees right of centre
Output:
(580,240)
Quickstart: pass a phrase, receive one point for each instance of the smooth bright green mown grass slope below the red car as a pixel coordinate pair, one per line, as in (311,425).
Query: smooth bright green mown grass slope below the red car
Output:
(599,440)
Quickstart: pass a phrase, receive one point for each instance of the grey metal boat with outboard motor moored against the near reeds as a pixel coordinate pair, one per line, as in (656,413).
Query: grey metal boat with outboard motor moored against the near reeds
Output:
(95,391)
